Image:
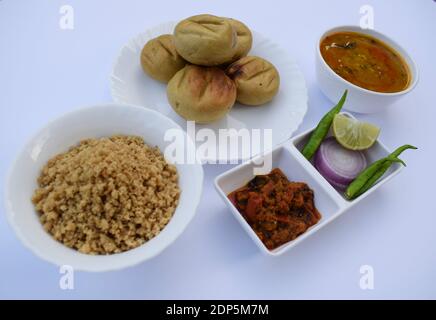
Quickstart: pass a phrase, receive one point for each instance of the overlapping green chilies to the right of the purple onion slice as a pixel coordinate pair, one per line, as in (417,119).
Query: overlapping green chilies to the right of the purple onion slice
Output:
(368,177)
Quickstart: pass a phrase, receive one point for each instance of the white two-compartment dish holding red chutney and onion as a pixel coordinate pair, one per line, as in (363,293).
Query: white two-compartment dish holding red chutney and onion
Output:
(330,202)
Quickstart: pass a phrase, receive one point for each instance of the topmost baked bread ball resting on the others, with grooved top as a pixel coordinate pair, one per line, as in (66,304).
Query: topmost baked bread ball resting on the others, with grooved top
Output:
(205,40)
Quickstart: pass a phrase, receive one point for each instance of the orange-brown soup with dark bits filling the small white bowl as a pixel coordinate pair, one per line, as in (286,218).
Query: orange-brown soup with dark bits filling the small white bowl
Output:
(365,61)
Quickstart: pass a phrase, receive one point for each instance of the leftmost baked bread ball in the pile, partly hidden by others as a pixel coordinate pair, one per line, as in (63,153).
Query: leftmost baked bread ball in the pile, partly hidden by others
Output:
(159,58)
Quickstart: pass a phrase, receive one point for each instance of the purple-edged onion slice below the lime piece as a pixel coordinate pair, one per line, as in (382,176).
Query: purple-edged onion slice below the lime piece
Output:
(338,165)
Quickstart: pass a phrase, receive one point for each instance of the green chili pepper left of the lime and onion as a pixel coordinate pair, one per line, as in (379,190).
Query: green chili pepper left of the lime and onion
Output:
(321,130)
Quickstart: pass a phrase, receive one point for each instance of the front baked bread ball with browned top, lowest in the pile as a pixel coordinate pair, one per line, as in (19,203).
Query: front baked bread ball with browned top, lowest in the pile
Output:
(202,94)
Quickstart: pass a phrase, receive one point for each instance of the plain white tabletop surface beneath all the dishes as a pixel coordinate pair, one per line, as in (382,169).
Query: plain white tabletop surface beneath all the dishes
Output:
(46,71)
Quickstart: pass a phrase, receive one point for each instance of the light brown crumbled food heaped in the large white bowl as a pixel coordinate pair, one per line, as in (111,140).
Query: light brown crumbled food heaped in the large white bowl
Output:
(107,195)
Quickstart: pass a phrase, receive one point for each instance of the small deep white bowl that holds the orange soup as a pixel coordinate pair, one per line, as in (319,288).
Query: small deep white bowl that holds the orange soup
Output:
(359,99)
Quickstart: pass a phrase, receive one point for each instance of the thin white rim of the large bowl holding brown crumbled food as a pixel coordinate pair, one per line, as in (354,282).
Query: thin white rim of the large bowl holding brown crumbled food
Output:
(36,251)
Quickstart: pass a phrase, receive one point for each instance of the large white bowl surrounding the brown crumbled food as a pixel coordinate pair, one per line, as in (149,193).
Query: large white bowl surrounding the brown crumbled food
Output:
(68,130)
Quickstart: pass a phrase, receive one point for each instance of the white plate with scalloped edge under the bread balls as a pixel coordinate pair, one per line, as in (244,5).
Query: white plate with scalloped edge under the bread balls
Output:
(283,115)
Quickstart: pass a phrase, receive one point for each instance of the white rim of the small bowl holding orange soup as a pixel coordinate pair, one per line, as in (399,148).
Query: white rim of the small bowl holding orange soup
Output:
(411,65)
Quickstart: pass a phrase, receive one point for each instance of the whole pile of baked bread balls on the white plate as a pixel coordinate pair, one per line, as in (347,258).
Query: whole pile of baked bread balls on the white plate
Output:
(207,69)
